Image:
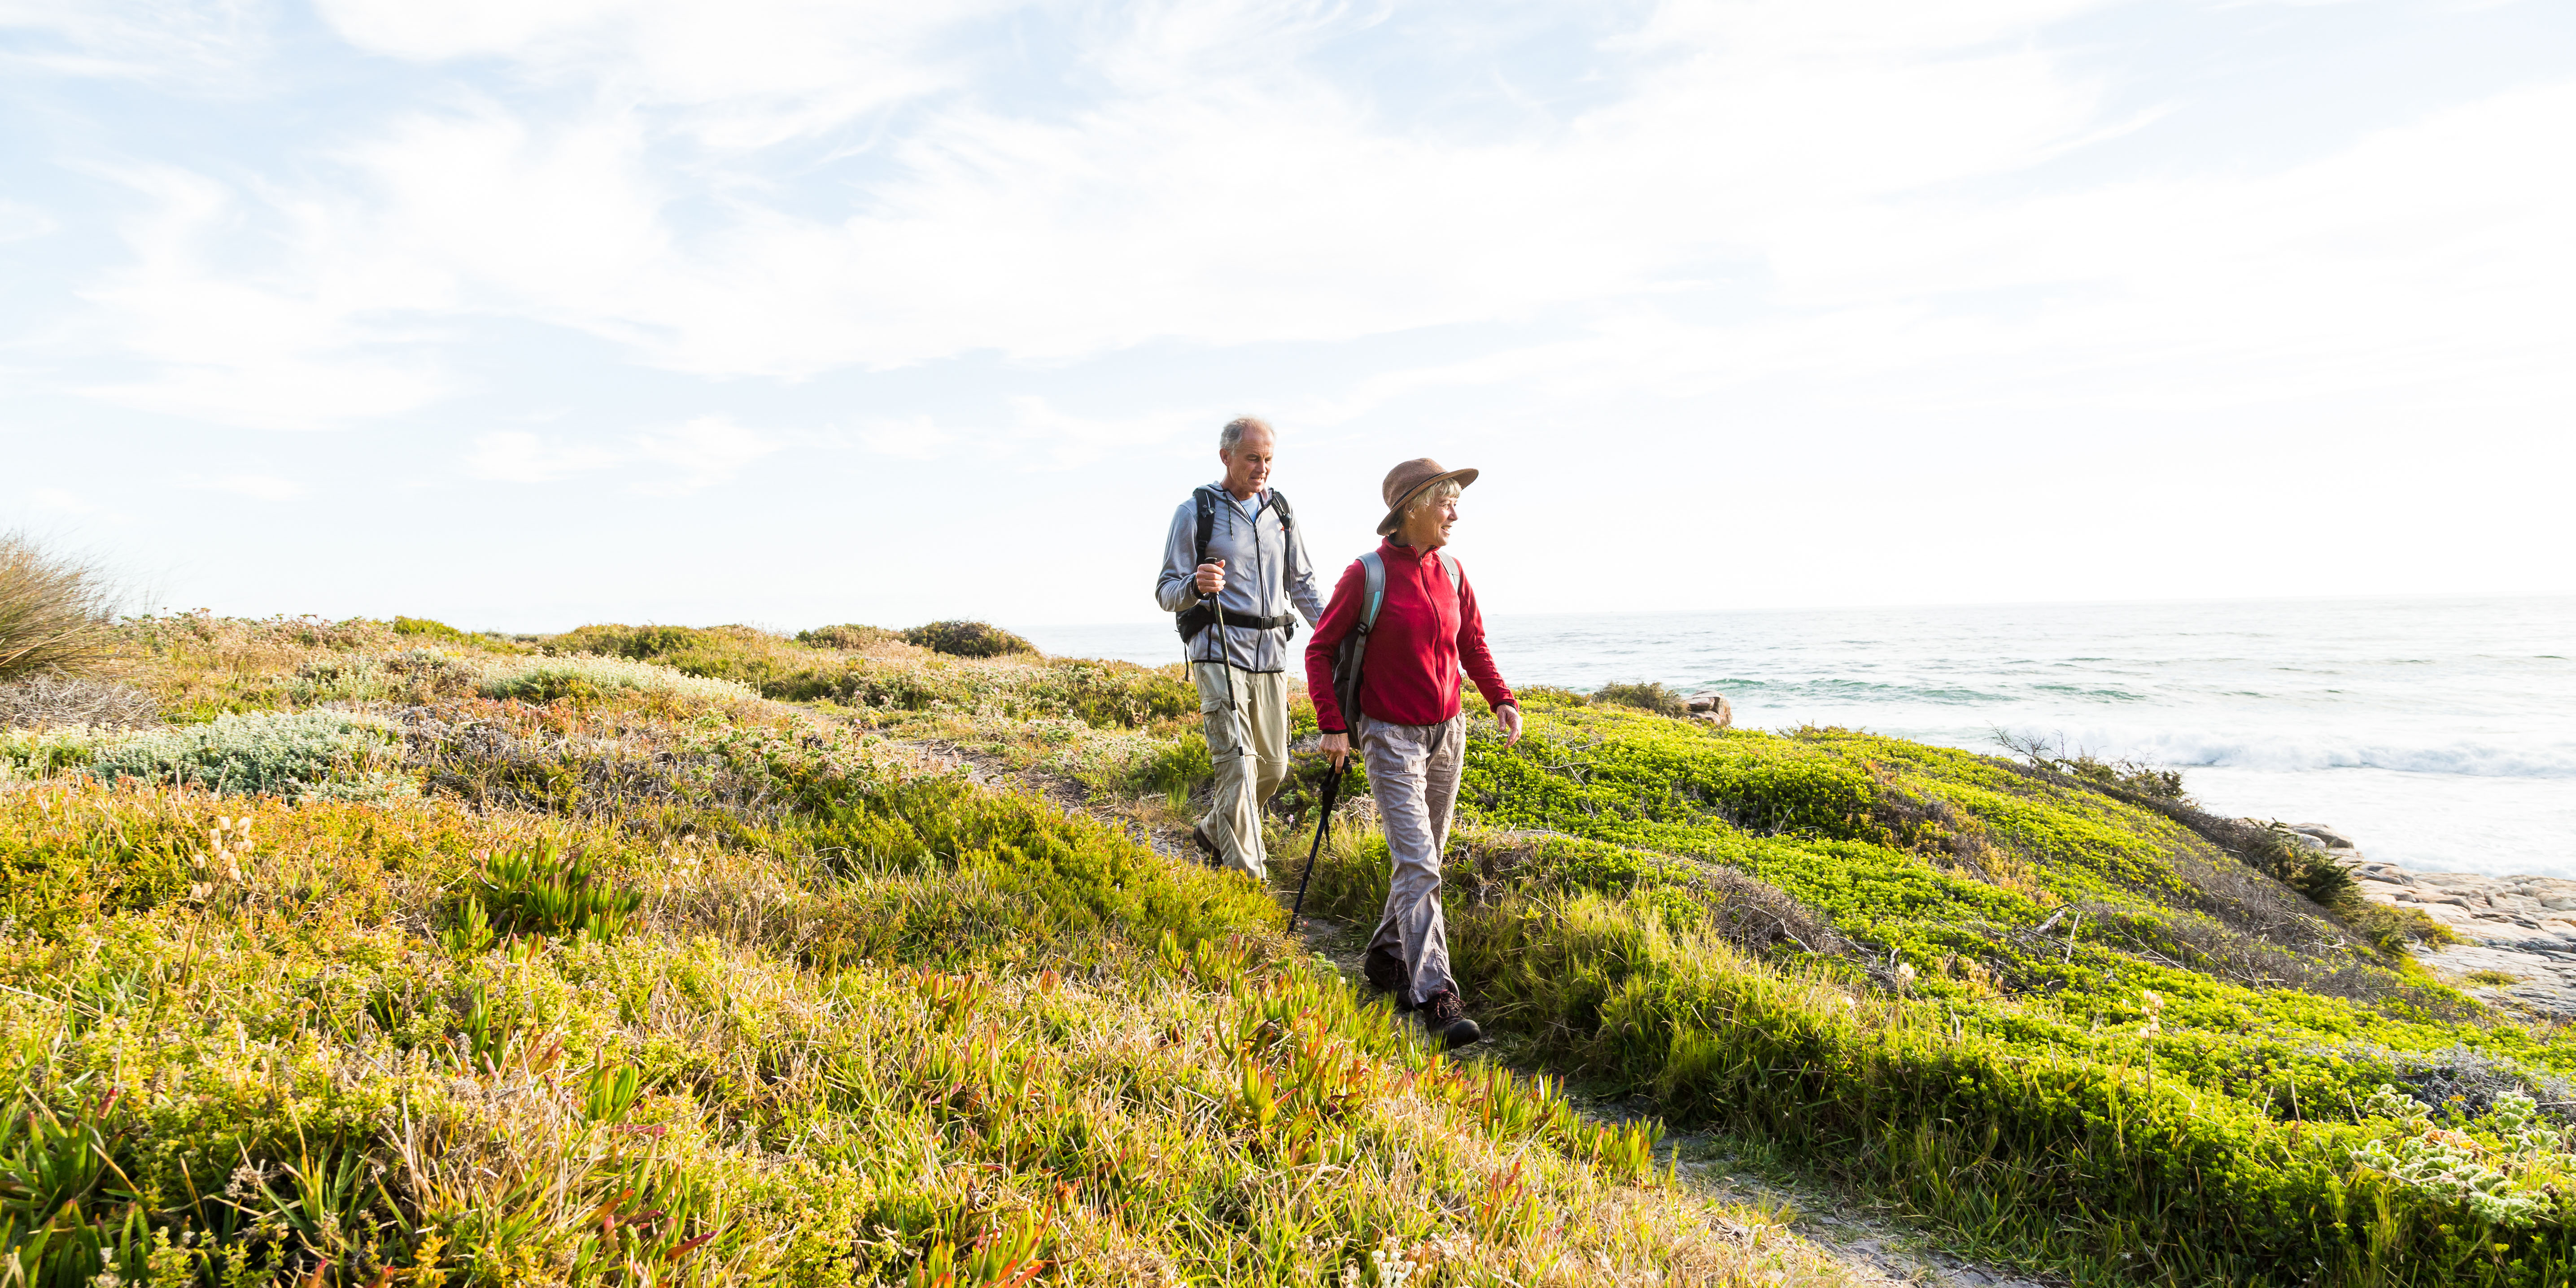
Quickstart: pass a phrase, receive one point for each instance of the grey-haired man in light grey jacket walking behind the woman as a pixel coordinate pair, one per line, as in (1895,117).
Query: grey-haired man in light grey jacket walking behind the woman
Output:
(1233,568)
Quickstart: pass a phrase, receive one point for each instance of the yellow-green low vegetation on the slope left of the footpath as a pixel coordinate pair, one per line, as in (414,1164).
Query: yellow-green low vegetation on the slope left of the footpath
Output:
(645,980)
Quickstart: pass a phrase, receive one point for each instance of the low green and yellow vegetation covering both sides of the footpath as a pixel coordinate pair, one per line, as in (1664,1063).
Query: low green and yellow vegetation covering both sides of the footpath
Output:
(643,954)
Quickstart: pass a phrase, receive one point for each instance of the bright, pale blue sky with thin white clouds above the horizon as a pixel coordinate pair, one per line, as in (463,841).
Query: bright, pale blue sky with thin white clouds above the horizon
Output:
(535,313)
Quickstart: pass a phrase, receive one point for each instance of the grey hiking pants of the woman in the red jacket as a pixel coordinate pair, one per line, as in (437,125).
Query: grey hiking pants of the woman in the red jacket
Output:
(1413,772)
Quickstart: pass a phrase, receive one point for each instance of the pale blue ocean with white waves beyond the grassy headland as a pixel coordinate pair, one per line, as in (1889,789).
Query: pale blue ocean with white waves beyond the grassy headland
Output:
(2433,733)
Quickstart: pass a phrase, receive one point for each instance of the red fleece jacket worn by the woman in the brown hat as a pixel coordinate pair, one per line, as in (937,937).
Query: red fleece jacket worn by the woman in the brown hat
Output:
(1426,630)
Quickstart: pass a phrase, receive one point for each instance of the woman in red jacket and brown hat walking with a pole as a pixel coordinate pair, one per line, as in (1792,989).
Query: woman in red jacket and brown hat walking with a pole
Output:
(1408,723)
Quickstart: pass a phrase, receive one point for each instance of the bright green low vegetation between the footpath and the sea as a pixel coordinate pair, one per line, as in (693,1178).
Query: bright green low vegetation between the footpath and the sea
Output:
(2047,1011)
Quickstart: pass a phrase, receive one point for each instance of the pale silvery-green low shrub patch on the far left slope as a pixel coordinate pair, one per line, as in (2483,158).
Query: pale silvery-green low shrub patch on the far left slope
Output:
(282,756)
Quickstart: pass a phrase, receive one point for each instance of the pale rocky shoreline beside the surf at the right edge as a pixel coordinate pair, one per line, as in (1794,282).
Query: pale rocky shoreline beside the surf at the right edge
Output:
(2515,926)
